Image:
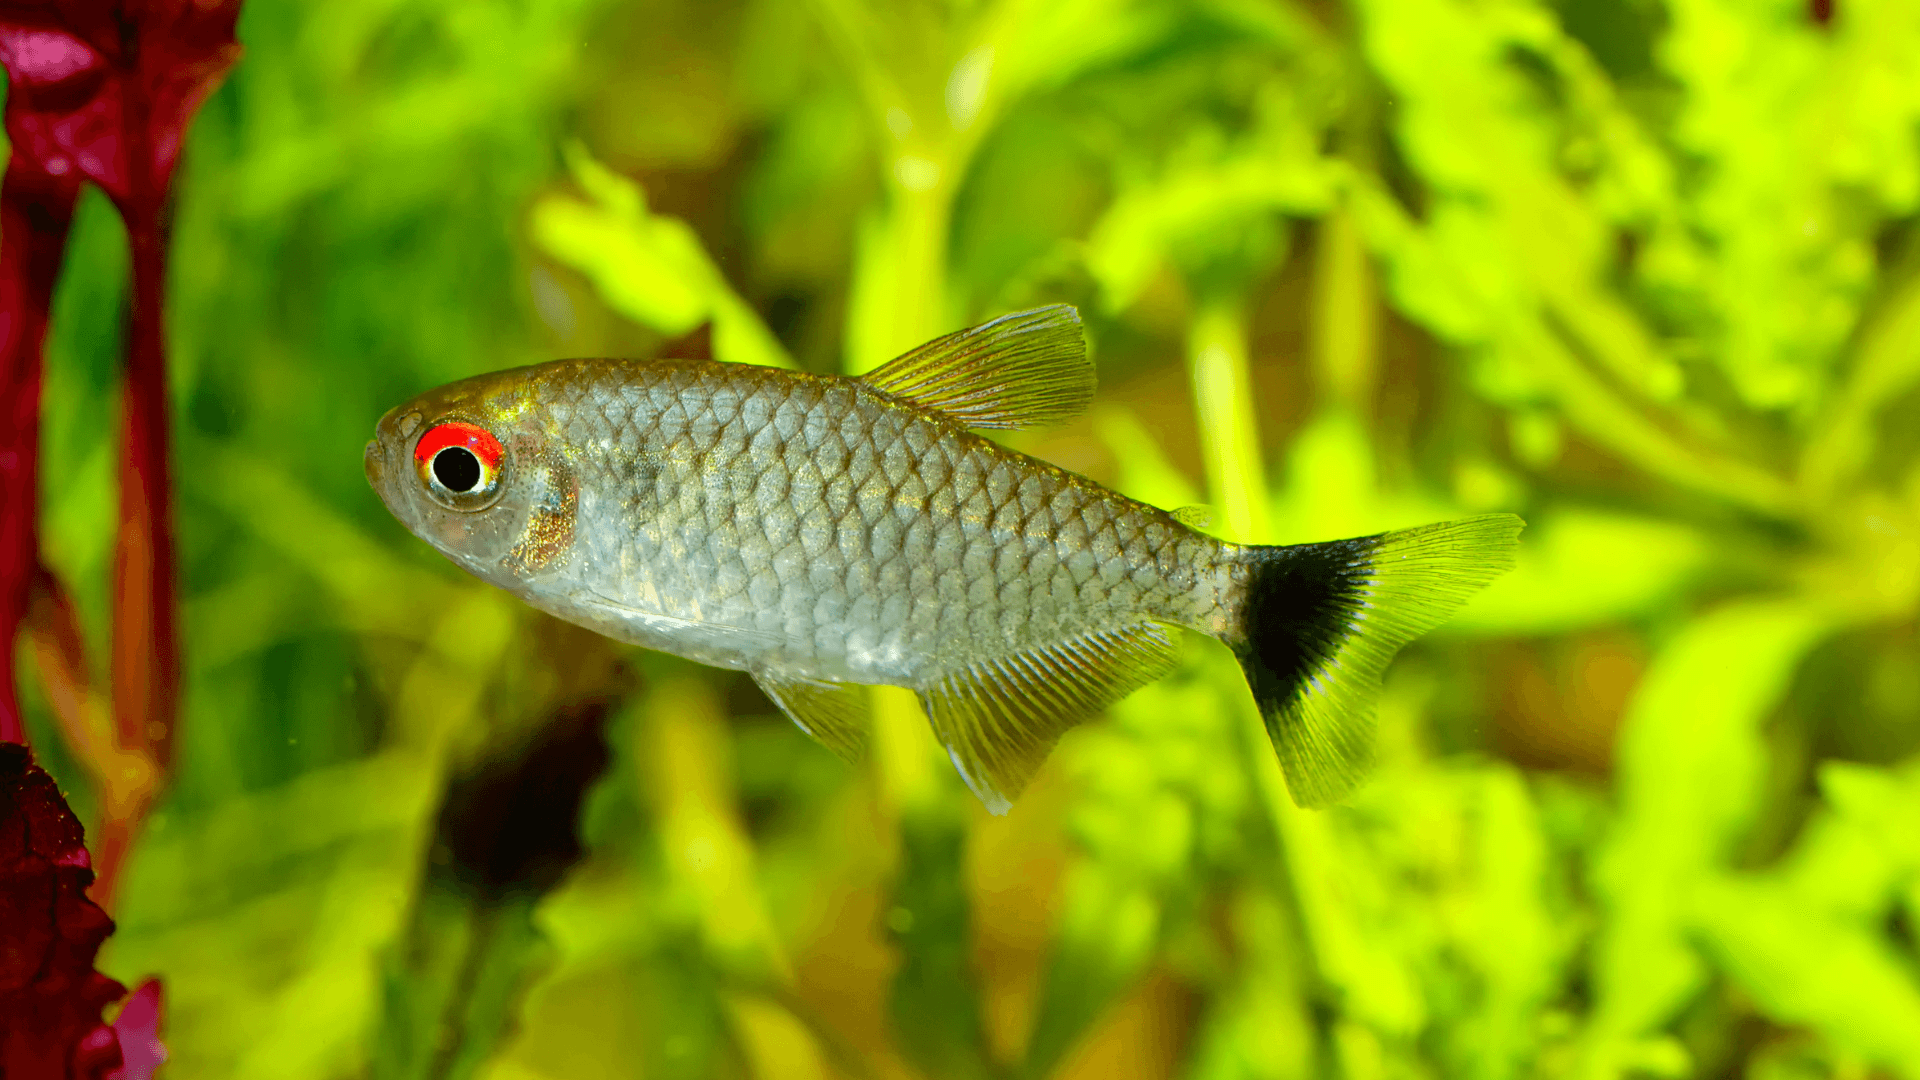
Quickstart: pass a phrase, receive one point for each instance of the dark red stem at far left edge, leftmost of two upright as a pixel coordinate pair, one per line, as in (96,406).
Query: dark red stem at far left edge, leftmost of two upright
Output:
(36,214)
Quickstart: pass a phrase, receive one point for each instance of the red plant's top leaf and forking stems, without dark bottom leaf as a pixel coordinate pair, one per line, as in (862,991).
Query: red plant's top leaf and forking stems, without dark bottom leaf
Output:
(101,91)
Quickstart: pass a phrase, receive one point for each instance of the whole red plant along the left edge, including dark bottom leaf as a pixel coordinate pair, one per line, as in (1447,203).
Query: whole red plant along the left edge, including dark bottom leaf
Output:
(99,91)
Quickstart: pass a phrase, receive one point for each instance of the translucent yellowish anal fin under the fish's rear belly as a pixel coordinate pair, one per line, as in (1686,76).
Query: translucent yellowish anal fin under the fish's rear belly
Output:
(999,718)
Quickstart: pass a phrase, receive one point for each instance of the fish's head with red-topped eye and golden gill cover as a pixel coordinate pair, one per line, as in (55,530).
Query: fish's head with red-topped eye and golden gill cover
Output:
(477,472)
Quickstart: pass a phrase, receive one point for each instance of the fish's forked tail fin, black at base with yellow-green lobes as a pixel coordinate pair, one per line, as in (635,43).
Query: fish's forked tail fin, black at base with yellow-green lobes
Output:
(1322,622)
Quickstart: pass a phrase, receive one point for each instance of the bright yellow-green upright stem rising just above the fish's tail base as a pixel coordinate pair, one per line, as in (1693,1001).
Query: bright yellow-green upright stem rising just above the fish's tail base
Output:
(1230,437)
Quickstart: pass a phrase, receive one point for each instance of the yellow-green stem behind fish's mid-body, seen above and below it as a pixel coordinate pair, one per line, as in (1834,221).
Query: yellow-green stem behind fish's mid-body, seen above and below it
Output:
(900,299)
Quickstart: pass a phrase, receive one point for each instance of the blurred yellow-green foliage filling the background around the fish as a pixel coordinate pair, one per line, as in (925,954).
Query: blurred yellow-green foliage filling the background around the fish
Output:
(1644,272)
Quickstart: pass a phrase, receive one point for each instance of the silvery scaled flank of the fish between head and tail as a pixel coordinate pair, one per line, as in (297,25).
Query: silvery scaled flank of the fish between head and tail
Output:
(769,476)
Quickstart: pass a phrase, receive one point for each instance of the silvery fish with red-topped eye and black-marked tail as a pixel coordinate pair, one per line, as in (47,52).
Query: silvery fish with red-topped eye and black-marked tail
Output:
(827,533)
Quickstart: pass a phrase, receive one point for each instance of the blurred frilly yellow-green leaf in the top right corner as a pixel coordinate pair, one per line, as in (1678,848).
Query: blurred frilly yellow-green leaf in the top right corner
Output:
(1790,230)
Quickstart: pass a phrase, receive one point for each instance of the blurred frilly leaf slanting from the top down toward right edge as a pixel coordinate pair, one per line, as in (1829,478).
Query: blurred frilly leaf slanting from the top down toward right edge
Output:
(1533,172)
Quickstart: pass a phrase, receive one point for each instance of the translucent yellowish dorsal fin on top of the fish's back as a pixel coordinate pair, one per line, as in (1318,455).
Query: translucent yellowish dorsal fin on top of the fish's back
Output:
(1022,370)
